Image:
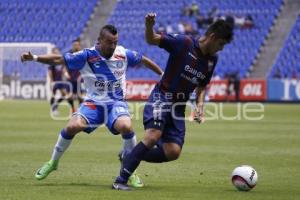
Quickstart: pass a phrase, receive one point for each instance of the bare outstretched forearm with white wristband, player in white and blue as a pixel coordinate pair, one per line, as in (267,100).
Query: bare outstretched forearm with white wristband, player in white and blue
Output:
(50,59)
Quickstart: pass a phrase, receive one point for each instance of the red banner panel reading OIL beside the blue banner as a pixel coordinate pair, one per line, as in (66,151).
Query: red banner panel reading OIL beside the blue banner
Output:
(253,90)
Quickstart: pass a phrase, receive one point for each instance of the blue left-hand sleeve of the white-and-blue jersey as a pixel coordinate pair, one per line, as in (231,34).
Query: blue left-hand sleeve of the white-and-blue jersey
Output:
(75,61)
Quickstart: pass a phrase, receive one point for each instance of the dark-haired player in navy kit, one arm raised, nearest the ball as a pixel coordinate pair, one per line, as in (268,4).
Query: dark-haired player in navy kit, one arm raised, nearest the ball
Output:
(190,66)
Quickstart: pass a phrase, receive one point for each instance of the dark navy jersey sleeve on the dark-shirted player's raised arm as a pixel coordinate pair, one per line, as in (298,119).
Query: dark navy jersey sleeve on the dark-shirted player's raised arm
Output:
(173,43)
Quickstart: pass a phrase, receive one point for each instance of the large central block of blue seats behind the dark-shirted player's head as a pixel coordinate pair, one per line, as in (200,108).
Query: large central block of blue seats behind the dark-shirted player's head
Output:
(128,16)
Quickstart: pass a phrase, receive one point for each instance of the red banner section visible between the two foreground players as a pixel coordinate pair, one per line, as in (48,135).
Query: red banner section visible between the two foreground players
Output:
(139,89)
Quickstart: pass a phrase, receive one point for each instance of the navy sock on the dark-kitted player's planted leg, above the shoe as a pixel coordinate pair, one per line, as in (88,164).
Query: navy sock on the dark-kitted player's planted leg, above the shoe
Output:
(131,162)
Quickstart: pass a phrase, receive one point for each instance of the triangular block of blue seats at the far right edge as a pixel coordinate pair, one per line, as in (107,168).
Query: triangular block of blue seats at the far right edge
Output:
(287,64)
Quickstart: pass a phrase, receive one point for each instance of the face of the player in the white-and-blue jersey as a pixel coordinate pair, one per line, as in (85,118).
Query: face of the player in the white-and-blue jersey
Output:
(108,43)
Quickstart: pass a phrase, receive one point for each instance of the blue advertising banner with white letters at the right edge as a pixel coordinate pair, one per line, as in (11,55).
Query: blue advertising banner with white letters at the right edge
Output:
(283,90)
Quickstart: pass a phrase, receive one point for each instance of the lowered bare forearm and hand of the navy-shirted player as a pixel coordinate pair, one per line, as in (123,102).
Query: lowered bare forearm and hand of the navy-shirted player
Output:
(199,110)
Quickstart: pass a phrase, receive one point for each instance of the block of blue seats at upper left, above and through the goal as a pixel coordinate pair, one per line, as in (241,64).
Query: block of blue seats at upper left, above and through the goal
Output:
(55,21)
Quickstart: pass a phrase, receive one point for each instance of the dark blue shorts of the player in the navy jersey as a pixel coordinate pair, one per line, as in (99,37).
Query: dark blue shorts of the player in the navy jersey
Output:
(159,113)
